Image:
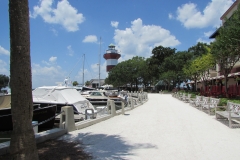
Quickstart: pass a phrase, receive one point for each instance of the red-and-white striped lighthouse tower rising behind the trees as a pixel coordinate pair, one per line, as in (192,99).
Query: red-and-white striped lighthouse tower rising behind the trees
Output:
(111,56)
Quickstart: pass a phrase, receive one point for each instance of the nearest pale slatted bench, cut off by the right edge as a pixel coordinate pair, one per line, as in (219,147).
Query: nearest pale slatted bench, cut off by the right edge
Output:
(232,114)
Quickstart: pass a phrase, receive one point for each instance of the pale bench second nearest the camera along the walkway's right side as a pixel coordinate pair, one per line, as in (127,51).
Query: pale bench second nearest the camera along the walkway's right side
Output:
(209,104)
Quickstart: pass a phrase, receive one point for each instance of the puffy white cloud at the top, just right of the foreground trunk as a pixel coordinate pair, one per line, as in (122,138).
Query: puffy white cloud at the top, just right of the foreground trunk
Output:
(64,14)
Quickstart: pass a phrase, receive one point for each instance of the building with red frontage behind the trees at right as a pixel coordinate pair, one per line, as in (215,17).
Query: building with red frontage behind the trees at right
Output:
(216,85)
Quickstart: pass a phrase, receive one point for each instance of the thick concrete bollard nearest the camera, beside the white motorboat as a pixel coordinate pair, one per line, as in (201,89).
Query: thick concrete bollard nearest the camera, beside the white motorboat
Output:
(67,119)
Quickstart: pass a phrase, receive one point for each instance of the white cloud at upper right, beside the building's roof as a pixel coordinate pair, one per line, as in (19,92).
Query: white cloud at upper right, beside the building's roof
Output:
(189,15)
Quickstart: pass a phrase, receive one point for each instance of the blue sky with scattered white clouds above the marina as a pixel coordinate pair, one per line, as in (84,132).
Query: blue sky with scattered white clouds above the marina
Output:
(62,31)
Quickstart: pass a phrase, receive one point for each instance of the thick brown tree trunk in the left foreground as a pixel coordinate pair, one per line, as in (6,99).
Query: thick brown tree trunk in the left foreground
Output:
(22,145)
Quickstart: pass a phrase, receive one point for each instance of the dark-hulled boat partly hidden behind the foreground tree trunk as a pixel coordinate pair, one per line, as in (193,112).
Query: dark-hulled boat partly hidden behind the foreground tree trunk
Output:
(40,114)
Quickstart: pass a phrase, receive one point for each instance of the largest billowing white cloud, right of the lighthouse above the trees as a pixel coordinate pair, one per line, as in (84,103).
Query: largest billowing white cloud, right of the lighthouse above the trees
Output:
(139,40)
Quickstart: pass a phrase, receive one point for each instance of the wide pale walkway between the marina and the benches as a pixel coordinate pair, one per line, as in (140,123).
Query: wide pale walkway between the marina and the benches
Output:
(163,128)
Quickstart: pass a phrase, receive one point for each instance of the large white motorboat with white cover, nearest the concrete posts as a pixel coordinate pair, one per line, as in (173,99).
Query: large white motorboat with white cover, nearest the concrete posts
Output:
(64,96)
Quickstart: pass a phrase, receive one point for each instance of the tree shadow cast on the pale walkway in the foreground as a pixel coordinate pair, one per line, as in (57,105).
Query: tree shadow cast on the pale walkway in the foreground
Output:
(102,146)
